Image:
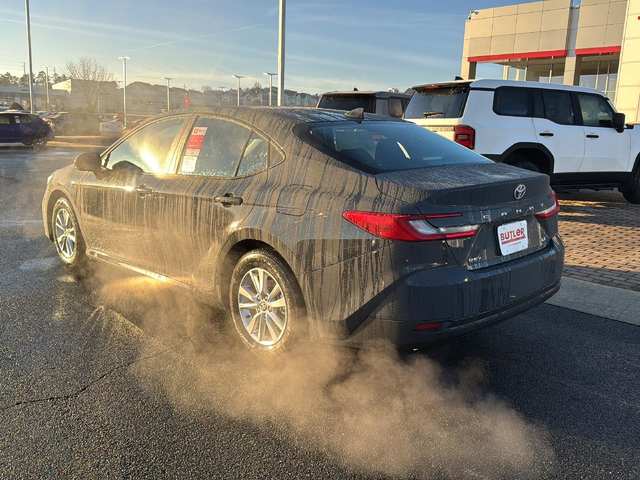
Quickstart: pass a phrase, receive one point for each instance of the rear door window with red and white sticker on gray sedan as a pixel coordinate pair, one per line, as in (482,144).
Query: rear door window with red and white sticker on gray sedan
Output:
(214,148)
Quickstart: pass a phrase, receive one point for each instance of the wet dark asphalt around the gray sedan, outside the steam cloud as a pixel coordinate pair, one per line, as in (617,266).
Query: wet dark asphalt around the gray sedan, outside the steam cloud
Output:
(73,403)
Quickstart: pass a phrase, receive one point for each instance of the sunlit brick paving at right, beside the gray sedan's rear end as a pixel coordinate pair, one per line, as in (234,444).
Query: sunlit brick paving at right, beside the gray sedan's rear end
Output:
(602,233)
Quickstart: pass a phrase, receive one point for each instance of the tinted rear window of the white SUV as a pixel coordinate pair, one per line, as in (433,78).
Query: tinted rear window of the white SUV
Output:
(437,102)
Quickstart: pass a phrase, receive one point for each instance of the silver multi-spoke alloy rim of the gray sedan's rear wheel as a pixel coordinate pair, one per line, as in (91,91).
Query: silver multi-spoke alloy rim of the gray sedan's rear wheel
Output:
(262,306)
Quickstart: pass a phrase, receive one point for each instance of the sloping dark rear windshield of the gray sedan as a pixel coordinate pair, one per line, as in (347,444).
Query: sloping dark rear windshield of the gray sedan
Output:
(380,147)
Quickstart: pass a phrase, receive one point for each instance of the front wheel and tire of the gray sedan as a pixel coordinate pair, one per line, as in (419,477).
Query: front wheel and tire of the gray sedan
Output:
(67,236)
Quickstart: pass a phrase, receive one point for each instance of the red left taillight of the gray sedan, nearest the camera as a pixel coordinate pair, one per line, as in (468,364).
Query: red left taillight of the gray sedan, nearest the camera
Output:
(407,228)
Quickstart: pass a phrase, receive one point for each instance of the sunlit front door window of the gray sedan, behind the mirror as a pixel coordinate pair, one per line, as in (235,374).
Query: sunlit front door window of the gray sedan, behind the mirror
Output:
(148,148)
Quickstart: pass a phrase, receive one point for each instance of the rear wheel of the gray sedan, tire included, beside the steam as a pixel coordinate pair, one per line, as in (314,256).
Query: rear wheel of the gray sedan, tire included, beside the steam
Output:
(269,318)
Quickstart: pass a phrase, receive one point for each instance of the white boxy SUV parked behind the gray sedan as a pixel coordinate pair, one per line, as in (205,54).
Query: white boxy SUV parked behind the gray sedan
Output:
(572,134)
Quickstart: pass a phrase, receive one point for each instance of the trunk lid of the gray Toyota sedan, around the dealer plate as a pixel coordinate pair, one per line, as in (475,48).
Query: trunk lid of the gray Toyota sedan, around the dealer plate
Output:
(484,195)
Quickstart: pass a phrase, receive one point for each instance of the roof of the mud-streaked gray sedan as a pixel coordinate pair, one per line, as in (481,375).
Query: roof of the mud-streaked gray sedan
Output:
(277,122)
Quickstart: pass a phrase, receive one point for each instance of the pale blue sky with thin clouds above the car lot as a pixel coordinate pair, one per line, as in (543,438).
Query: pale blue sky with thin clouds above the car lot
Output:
(331,45)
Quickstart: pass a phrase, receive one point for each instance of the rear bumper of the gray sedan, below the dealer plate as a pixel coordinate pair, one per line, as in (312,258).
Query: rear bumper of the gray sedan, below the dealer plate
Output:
(465,301)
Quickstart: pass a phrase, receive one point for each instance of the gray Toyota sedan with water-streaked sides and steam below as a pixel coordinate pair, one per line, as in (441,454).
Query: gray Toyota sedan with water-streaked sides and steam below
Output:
(355,229)
